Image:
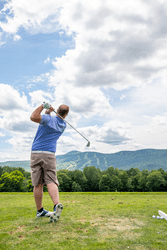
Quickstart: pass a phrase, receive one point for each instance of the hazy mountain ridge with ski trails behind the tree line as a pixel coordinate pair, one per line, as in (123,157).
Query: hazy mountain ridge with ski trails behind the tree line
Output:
(142,159)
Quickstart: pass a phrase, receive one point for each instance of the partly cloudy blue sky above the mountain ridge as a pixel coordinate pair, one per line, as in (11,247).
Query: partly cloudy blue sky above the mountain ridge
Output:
(105,59)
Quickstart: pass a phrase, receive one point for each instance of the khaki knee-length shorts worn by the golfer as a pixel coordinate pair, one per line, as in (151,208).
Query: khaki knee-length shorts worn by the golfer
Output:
(43,169)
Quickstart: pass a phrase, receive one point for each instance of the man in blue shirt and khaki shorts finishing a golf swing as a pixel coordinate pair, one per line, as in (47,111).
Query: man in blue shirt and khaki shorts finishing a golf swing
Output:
(43,161)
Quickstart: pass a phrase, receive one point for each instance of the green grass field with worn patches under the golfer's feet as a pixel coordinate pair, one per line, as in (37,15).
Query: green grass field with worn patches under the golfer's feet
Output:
(88,221)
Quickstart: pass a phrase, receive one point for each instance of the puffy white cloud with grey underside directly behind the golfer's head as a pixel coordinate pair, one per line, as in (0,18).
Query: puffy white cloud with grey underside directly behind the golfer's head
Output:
(86,101)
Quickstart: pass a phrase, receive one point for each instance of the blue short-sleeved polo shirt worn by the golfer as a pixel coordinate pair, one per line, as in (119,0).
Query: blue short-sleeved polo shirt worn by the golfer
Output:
(49,131)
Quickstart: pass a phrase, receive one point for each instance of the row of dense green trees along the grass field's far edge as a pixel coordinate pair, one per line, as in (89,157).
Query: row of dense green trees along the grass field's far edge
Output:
(91,179)
